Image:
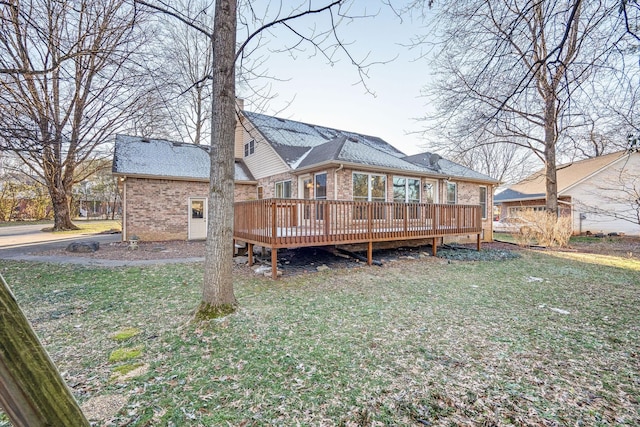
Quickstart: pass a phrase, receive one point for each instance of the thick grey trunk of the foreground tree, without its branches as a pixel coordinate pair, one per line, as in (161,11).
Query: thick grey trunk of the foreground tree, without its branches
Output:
(217,295)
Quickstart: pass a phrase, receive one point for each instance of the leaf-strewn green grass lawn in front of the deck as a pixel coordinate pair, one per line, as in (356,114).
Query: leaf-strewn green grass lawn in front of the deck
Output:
(546,339)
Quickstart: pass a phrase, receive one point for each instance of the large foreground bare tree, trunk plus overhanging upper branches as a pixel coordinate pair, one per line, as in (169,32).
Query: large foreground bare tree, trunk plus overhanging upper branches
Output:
(218,297)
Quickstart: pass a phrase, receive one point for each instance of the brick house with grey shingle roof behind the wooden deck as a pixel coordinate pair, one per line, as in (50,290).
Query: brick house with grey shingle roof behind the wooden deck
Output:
(165,189)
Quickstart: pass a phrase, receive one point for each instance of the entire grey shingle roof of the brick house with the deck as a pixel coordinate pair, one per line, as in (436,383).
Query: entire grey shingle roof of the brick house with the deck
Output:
(299,144)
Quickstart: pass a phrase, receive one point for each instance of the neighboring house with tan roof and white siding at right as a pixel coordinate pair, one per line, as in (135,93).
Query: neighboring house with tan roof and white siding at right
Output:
(601,194)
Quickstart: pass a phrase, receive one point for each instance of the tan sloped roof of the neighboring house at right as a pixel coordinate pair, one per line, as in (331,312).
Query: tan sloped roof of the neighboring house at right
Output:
(569,174)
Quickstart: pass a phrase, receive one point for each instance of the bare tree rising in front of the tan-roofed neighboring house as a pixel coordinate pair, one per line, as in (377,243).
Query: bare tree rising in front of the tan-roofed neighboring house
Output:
(520,72)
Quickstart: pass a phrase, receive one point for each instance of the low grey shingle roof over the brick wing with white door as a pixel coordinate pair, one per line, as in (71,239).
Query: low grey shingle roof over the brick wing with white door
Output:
(160,158)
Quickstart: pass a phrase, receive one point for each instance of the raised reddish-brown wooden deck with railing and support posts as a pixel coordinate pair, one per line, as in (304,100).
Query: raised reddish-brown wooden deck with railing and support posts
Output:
(294,223)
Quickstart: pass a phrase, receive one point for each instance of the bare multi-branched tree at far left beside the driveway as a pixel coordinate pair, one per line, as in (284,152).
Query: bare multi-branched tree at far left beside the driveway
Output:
(65,86)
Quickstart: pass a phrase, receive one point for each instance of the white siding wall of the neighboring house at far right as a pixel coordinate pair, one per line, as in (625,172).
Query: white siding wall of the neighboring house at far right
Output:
(603,201)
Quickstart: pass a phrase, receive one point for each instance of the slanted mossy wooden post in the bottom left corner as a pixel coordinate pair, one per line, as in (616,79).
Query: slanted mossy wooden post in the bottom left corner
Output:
(32,392)
